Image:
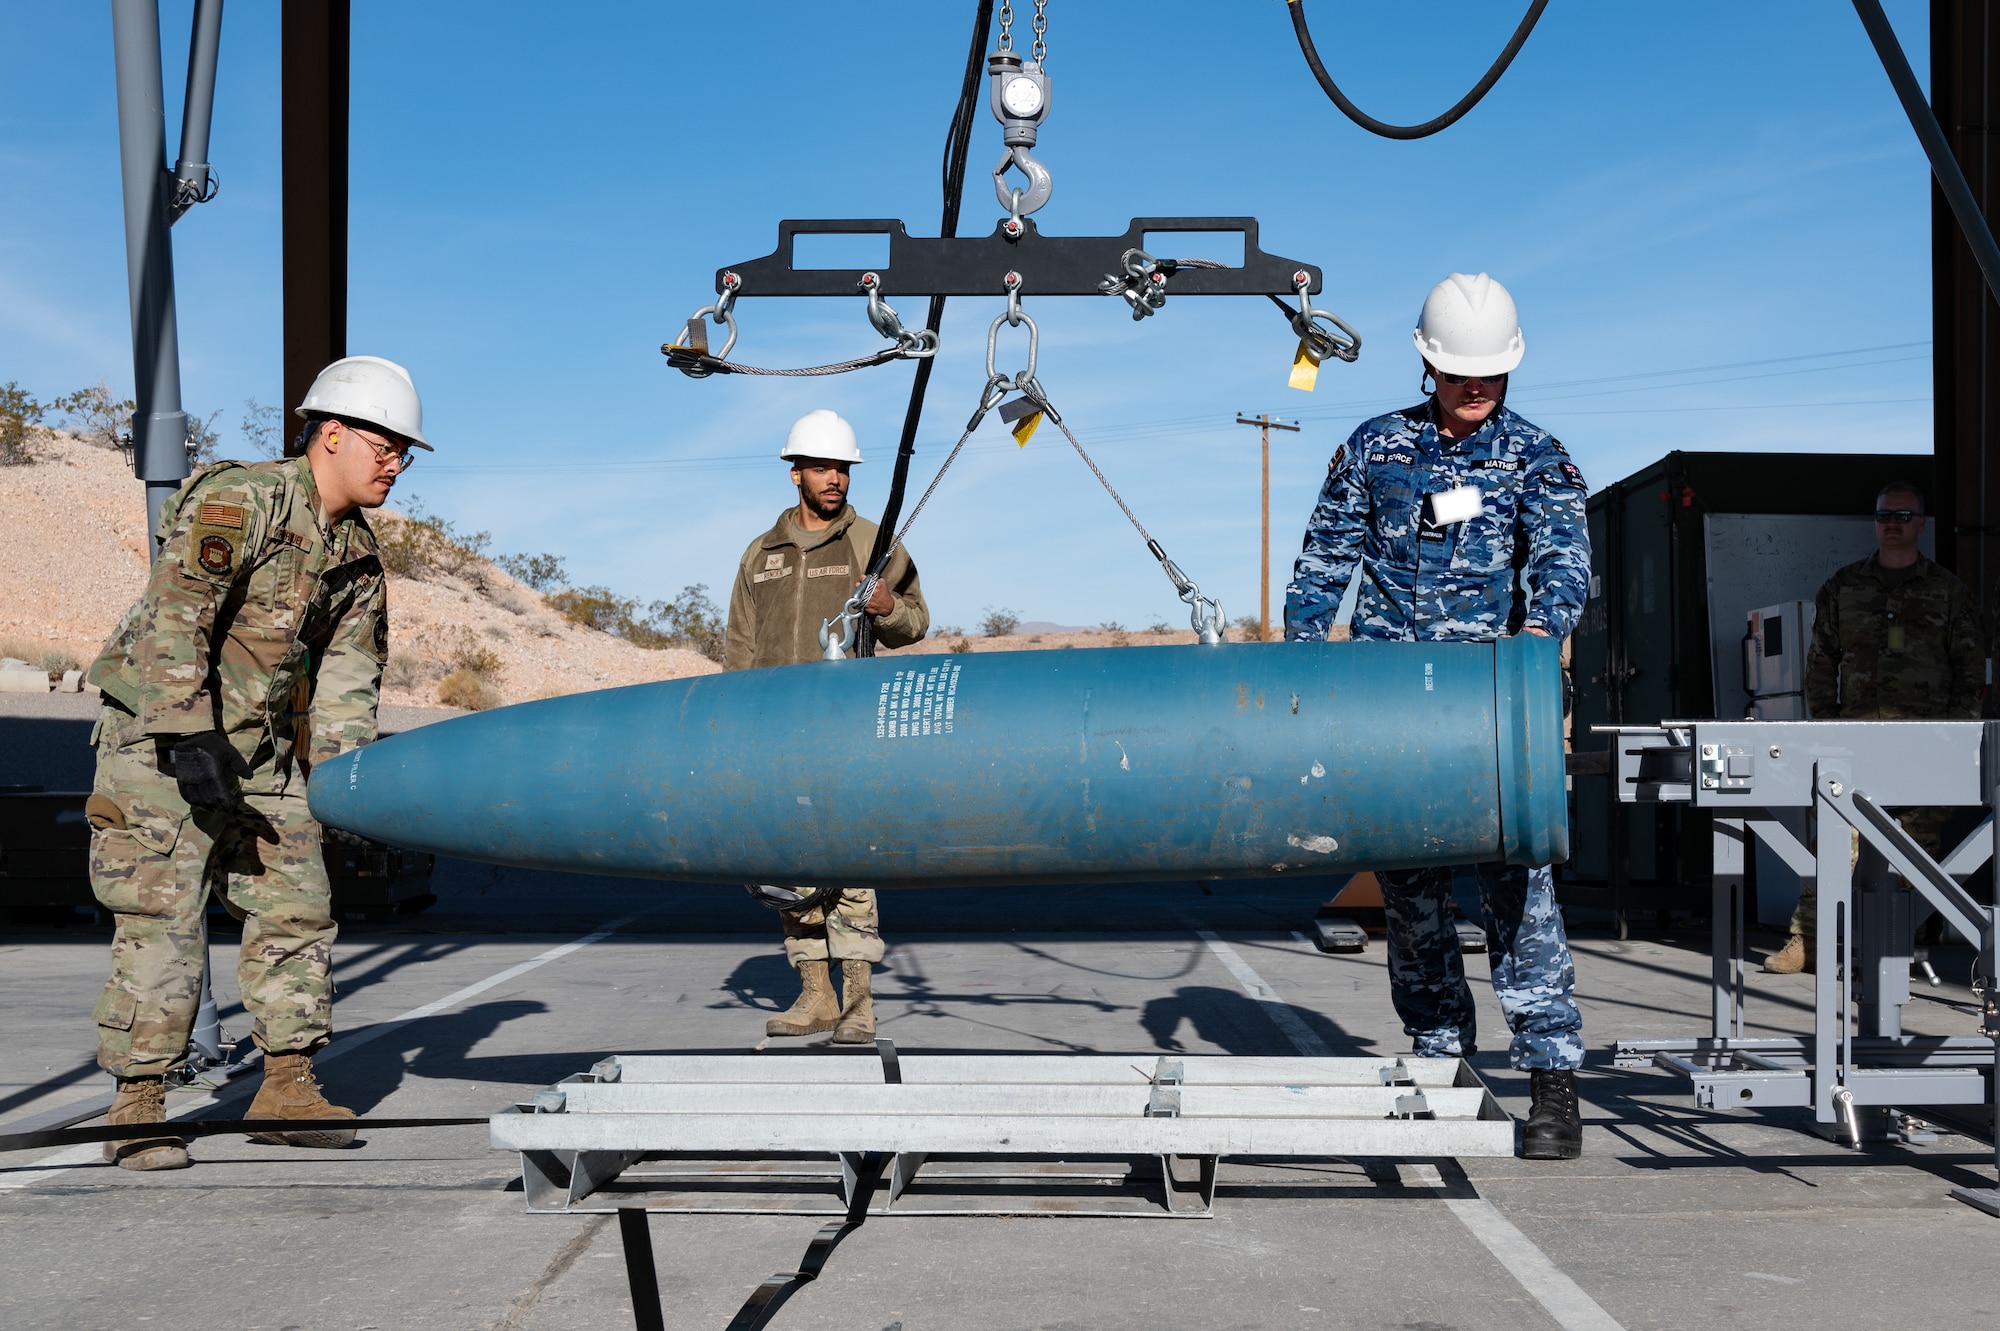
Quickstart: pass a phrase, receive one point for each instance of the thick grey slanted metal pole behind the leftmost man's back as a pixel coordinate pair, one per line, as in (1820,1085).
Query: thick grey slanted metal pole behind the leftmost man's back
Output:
(159,425)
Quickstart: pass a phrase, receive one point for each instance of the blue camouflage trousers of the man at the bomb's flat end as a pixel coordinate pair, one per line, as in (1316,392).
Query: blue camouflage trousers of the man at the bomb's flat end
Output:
(1533,972)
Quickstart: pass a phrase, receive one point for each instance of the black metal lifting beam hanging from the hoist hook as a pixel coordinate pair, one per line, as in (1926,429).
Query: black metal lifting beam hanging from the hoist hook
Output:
(979,265)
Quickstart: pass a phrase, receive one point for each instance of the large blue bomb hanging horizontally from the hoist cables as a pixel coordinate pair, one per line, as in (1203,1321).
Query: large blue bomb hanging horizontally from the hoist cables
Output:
(1239,760)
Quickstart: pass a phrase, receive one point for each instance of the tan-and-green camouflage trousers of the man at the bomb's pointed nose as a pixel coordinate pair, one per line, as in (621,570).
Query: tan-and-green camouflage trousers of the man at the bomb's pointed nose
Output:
(155,876)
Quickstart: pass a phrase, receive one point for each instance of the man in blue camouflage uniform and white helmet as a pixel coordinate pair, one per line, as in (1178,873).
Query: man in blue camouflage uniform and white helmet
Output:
(1457,521)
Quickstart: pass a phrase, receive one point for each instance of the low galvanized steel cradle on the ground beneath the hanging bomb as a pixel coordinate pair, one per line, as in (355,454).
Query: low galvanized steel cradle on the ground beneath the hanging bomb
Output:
(1071,1134)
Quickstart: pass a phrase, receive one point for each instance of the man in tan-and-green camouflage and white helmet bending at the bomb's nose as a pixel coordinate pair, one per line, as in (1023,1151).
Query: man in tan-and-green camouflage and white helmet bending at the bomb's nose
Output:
(255,655)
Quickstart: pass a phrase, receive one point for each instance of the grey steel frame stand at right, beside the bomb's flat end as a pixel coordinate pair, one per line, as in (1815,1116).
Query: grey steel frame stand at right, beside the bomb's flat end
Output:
(1859,1068)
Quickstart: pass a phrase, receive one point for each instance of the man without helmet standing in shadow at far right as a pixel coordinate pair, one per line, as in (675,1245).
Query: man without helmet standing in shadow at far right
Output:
(1895,637)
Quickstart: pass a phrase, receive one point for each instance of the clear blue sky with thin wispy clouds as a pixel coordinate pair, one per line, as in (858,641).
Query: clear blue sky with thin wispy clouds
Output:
(1713,217)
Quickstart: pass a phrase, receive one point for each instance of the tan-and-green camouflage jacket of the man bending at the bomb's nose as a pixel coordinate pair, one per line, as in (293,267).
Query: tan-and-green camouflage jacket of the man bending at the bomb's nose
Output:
(259,621)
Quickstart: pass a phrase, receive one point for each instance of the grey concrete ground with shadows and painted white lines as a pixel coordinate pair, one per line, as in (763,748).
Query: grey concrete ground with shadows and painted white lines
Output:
(1673,1218)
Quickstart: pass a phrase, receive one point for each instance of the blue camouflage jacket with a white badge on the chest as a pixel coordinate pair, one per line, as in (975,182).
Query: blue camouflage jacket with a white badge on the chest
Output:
(1521,563)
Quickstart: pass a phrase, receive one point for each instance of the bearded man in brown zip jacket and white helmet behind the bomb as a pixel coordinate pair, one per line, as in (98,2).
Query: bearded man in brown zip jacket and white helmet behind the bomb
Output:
(791,583)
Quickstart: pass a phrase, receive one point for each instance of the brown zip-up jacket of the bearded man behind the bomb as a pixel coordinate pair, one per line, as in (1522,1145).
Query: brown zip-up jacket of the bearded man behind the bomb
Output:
(793,581)
